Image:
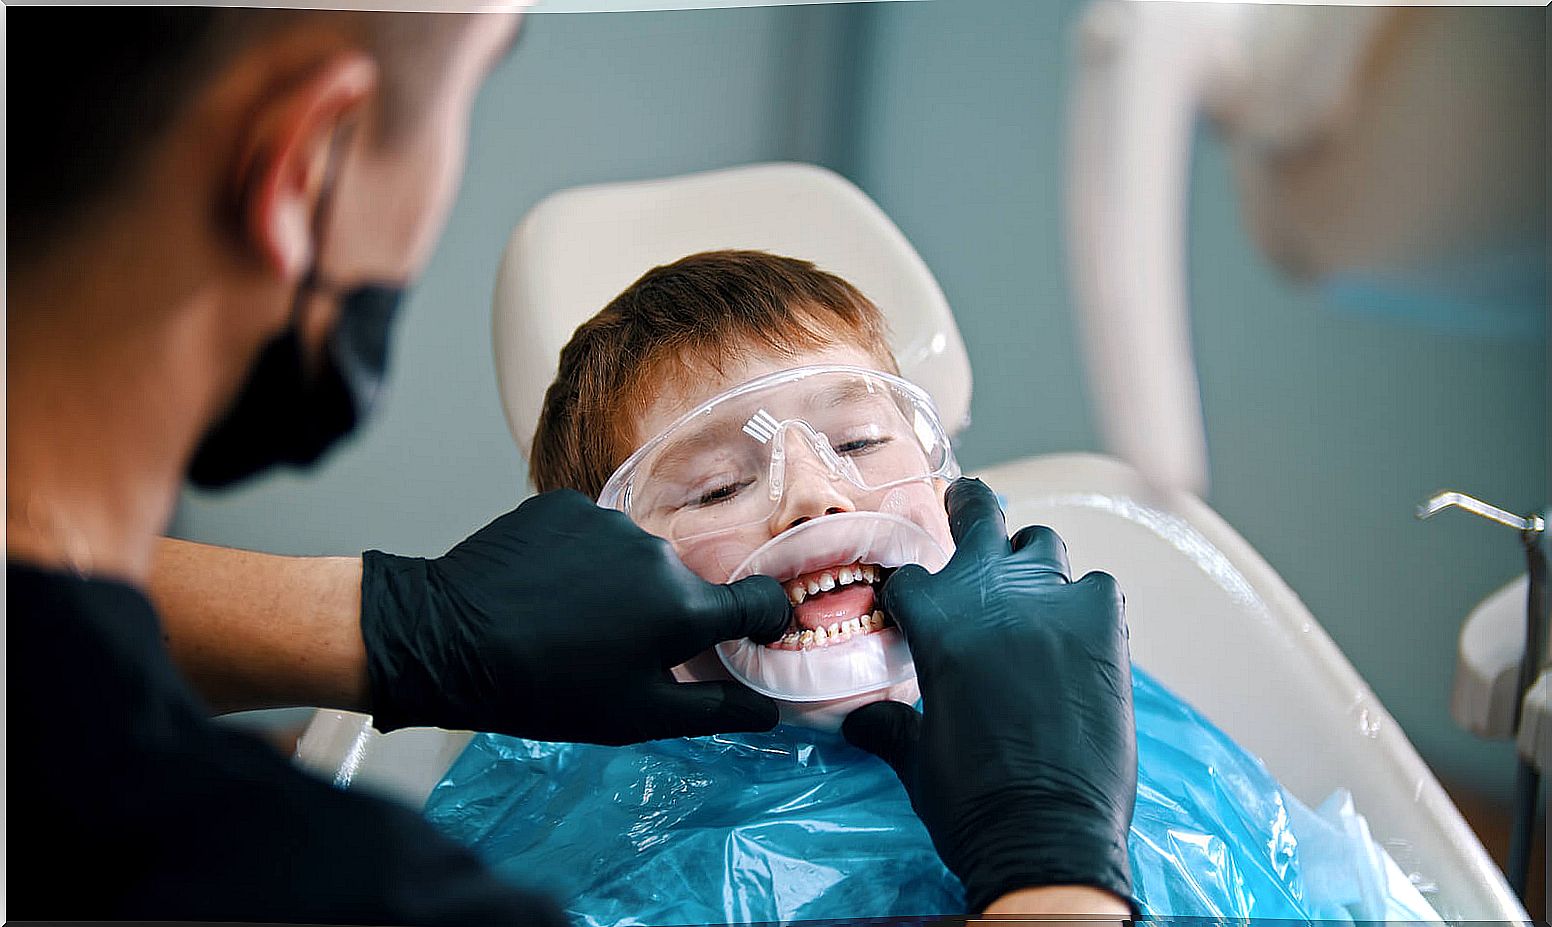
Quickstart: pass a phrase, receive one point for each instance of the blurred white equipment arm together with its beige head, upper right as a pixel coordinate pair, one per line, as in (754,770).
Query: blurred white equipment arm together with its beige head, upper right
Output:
(1368,142)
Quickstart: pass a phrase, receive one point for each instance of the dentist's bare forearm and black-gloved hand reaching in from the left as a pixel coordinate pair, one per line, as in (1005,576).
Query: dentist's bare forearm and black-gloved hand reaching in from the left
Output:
(556,622)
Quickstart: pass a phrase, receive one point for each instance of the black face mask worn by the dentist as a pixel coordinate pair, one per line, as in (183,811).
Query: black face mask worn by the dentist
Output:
(289,411)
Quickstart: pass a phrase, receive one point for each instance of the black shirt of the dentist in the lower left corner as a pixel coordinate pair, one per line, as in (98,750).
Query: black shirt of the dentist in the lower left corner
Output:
(128,804)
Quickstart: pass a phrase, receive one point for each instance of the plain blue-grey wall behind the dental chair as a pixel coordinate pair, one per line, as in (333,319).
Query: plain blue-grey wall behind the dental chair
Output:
(1323,428)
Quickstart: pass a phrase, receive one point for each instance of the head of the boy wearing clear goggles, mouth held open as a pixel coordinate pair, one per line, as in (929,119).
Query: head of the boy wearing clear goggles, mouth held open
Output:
(721,487)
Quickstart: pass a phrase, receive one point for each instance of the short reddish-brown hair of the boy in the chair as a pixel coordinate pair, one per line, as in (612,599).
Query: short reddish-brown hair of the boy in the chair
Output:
(673,325)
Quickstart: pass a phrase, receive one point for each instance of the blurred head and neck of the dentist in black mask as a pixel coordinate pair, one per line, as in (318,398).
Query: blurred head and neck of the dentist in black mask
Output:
(212,215)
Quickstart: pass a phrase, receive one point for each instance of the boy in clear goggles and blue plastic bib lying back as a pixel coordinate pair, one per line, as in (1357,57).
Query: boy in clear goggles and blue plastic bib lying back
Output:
(809,423)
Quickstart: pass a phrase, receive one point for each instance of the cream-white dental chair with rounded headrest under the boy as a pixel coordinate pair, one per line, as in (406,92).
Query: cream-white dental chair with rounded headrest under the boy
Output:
(1207,614)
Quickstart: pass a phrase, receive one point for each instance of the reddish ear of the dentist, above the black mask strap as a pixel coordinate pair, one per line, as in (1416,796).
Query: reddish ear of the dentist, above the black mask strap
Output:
(285,154)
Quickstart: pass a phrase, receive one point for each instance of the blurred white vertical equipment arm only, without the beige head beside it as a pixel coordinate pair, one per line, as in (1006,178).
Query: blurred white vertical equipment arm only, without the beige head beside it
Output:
(1135,105)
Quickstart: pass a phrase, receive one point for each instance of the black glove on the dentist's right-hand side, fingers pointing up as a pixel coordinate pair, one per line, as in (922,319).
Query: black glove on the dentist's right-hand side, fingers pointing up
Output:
(1024,763)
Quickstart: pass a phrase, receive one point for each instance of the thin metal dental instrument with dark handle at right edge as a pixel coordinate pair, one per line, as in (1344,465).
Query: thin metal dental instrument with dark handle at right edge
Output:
(1528,780)
